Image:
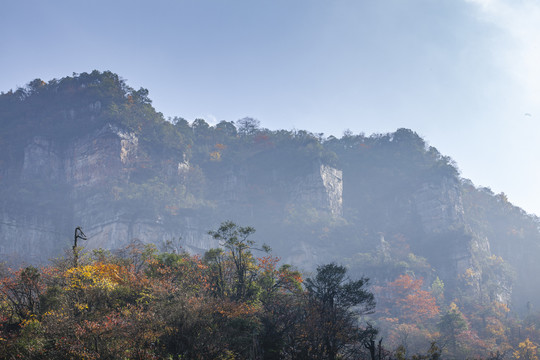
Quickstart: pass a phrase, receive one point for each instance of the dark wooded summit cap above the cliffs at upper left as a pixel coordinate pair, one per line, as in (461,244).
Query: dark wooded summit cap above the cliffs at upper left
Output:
(72,106)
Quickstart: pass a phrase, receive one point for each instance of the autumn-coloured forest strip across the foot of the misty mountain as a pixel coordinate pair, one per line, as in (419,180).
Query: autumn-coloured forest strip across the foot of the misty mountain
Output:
(237,302)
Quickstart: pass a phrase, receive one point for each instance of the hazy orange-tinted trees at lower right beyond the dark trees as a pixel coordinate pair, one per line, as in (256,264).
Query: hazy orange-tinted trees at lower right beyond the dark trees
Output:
(413,318)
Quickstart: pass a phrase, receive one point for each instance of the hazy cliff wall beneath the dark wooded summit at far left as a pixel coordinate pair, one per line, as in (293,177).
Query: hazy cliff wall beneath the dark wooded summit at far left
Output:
(80,170)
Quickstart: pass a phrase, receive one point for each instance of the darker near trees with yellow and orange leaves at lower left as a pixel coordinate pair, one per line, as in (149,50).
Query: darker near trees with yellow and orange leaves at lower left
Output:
(144,304)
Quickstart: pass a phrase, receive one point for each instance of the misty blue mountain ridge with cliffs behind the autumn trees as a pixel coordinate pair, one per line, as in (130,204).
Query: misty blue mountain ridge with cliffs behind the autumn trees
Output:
(89,150)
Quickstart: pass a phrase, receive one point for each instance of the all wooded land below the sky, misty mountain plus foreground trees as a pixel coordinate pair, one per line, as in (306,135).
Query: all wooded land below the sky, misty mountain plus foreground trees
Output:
(408,260)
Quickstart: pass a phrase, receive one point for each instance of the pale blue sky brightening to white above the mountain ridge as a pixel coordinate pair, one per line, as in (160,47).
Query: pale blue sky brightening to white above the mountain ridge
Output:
(463,74)
